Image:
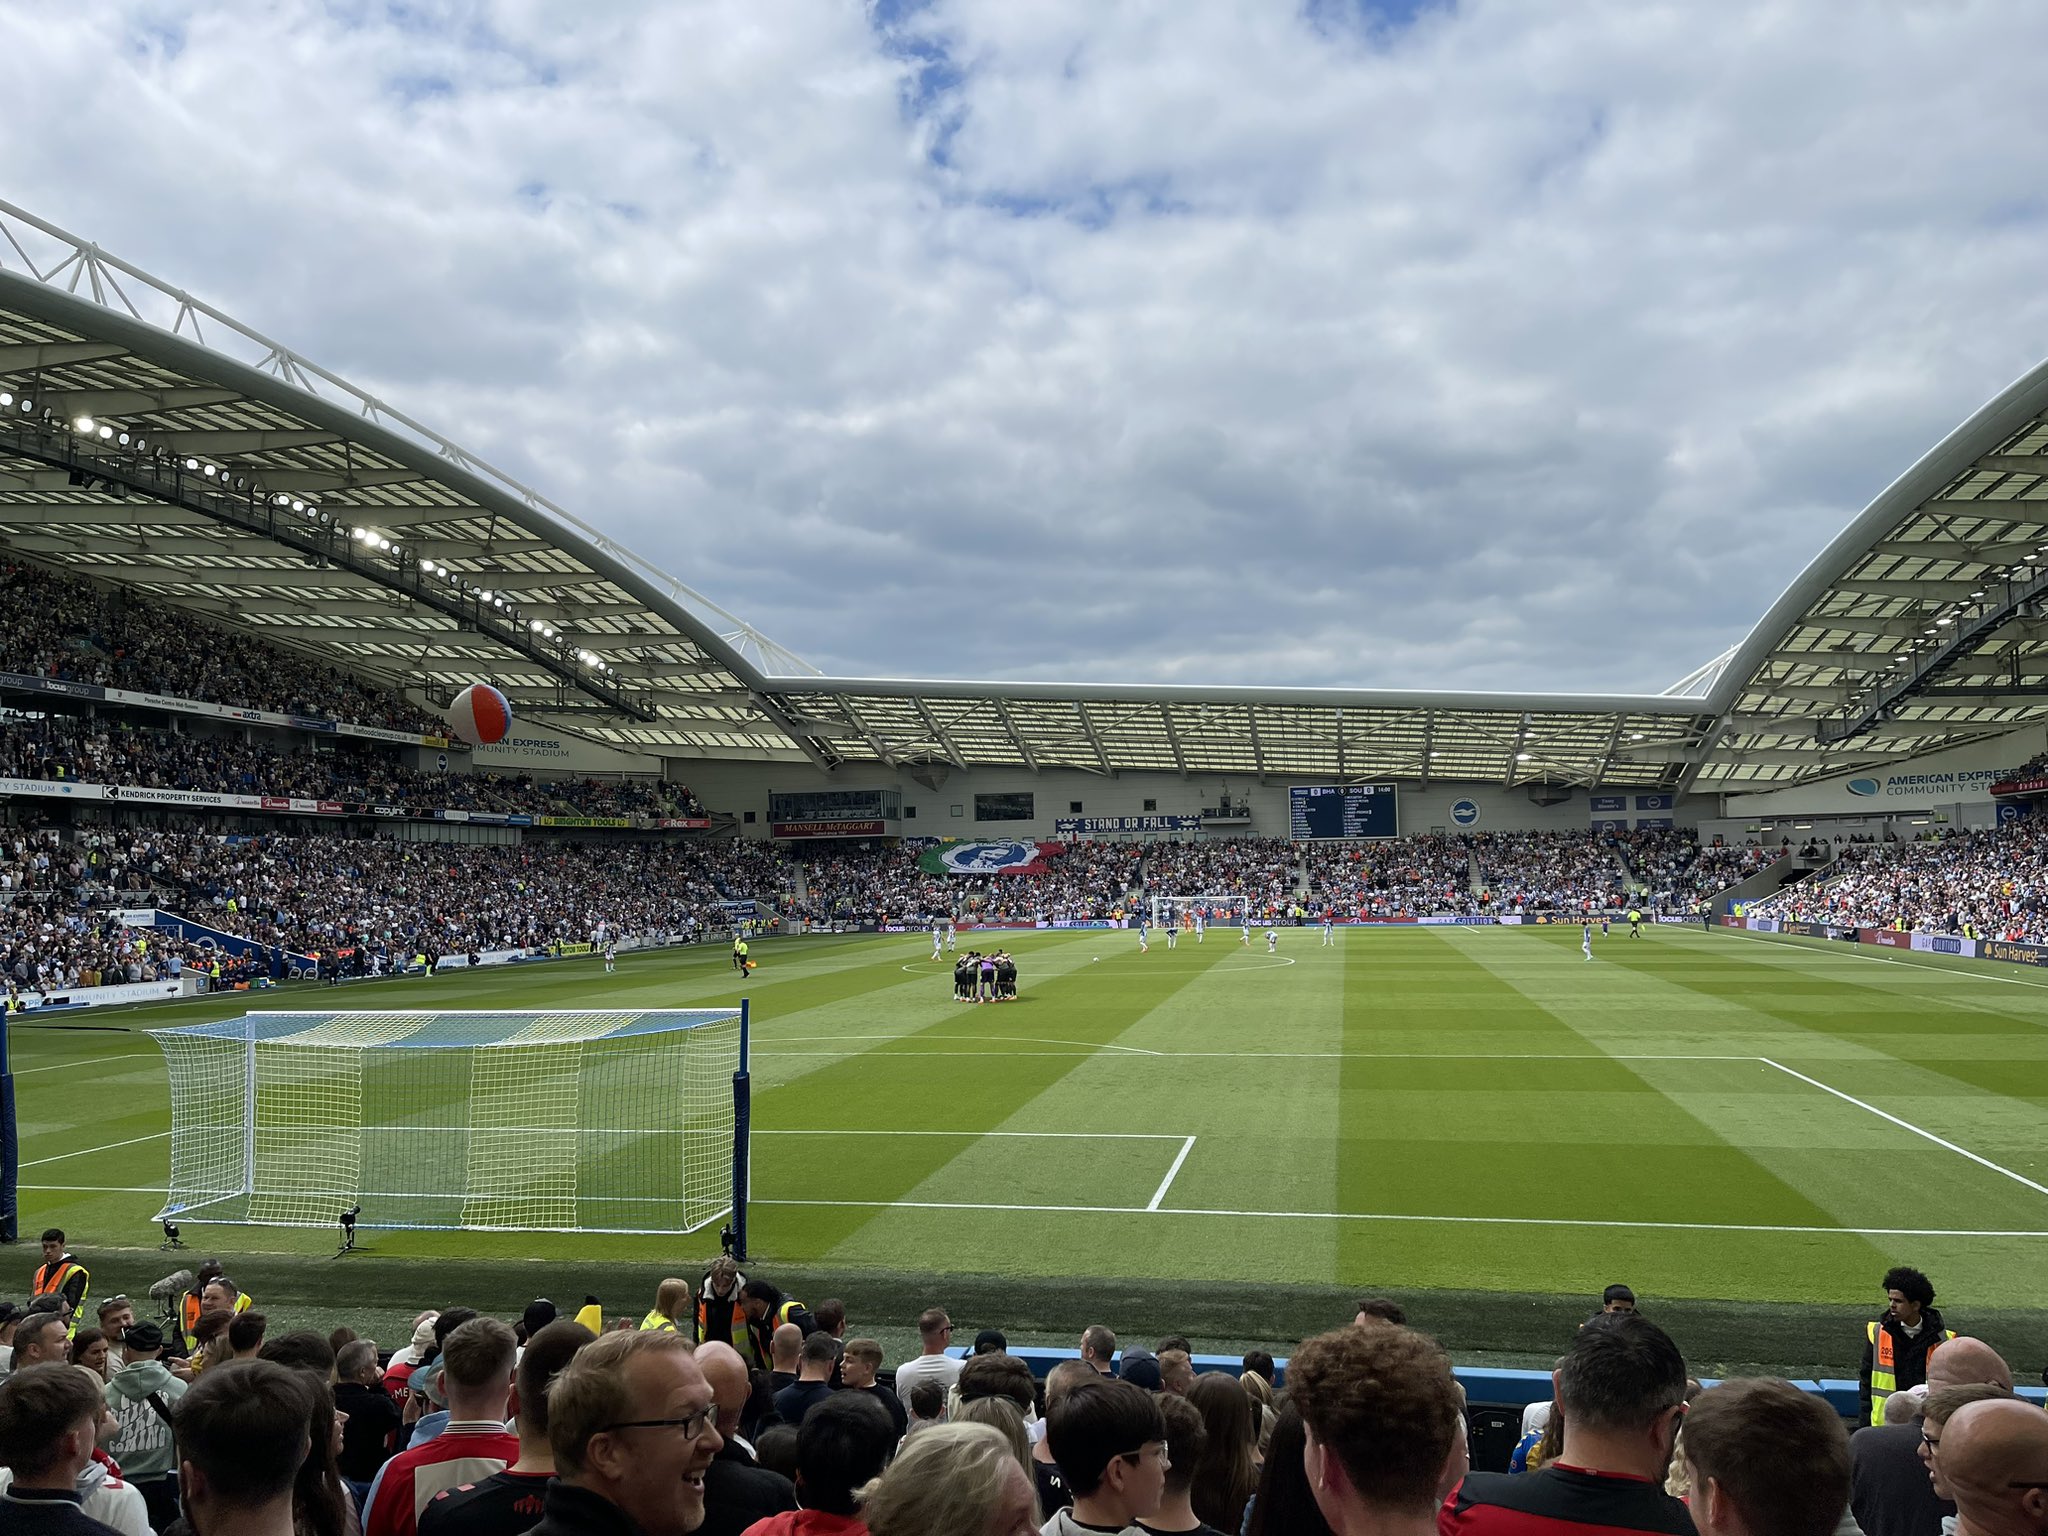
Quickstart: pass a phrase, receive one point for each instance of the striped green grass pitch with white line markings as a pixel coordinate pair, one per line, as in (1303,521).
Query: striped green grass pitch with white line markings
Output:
(1476,1121)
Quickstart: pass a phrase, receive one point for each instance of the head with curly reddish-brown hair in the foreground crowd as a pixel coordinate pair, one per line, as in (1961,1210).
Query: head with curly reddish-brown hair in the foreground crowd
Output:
(1383,1422)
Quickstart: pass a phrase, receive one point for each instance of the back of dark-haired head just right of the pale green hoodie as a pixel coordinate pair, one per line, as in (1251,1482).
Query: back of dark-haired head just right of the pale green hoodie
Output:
(243,1431)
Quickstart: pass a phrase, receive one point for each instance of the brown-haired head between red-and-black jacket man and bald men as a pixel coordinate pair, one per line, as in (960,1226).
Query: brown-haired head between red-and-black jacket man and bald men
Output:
(1766,1459)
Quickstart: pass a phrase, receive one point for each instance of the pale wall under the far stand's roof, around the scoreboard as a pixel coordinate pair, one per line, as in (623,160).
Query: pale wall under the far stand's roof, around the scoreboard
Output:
(740,787)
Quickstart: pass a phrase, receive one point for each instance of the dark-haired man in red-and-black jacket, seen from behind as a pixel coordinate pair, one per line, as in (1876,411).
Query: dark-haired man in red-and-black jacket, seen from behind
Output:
(1623,1396)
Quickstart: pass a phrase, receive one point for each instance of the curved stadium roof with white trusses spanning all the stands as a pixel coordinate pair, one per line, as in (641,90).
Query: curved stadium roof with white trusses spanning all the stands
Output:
(347,529)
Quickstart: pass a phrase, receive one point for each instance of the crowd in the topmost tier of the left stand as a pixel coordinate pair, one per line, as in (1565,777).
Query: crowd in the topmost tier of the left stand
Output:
(58,626)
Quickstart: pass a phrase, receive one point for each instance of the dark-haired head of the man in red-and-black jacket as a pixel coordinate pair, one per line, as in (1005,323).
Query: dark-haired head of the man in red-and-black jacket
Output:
(1623,1383)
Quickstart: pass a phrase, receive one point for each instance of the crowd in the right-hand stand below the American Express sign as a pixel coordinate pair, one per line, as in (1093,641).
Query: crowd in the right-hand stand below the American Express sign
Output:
(1990,884)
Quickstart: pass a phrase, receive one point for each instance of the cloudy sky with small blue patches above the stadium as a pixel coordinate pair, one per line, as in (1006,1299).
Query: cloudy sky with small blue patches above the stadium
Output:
(1193,341)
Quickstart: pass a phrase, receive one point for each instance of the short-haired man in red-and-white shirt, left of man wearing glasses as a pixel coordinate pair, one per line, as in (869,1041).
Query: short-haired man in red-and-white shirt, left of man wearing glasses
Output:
(476,1373)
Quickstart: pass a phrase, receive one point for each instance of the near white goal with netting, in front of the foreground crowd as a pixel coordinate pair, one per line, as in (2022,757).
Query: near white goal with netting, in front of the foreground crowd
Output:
(511,1121)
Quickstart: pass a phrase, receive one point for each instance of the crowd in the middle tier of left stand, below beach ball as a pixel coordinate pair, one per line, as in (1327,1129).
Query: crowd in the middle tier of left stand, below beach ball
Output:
(114,753)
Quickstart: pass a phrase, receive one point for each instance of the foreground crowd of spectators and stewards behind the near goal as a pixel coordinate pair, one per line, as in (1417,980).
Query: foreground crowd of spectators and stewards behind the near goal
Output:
(736,1410)
